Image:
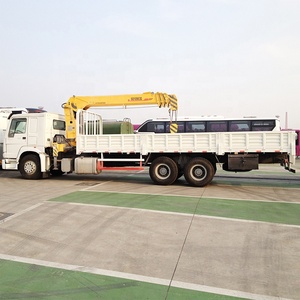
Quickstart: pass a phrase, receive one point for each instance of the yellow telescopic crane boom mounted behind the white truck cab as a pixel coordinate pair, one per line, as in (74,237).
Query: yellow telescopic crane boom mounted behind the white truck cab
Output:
(76,103)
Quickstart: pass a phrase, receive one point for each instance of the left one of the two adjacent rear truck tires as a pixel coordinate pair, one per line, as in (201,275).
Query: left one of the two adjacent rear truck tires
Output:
(163,170)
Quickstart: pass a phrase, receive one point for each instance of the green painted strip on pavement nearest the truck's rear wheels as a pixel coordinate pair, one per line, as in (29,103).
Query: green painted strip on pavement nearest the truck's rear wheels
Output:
(273,212)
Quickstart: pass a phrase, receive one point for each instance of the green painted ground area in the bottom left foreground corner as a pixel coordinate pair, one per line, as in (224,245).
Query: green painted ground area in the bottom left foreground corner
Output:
(29,281)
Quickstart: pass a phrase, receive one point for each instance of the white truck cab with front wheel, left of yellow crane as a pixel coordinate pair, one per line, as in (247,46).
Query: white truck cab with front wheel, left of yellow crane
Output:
(28,142)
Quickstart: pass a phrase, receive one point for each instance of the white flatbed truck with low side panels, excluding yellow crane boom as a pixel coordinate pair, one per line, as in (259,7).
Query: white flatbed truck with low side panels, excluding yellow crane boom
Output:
(37,146)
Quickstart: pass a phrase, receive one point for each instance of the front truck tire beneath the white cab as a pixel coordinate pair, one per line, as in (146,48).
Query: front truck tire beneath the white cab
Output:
(30,167)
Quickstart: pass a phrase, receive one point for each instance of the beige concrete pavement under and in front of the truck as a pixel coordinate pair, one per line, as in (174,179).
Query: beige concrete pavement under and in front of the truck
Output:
(227,256)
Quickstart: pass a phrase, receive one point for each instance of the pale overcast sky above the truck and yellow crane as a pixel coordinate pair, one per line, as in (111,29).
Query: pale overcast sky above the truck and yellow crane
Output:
(220,57)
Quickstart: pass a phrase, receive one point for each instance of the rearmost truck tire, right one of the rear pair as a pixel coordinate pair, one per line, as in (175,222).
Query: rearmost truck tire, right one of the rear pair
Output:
(199,172)
